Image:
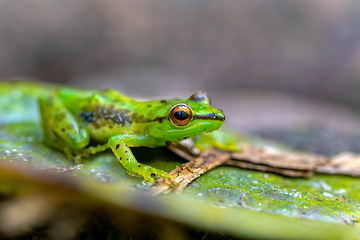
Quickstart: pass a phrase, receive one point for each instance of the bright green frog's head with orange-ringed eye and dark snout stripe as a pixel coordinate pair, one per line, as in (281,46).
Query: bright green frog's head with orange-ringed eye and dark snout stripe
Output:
(178,119)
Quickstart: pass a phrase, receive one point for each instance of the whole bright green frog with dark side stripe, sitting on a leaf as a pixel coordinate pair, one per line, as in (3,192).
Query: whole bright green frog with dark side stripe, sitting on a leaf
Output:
(74,119)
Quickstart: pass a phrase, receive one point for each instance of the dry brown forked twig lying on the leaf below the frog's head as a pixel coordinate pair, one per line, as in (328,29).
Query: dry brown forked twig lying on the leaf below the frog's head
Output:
(286,163)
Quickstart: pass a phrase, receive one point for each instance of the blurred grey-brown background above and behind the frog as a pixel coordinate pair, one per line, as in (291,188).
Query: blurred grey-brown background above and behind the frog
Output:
(244,53)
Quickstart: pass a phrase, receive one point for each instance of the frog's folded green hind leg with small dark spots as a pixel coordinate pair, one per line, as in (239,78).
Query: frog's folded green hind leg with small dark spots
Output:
(60,128)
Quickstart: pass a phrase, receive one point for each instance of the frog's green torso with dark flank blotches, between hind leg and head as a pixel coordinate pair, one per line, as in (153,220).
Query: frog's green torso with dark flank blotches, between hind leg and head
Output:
(104,112)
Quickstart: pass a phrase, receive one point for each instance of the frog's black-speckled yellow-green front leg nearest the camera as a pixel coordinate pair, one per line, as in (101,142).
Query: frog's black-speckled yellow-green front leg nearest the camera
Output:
(120,146)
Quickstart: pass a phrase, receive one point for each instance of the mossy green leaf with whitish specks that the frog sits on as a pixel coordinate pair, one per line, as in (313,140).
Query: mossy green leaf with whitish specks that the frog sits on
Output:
(238,202)
